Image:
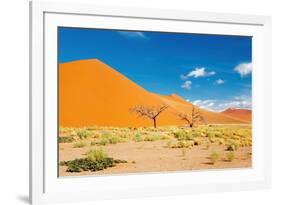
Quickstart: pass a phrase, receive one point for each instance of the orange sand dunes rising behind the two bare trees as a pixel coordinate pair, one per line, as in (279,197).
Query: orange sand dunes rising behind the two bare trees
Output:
(92,93)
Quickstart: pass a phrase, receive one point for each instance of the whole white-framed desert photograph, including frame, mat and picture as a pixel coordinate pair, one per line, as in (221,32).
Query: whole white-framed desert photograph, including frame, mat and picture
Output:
(129,102)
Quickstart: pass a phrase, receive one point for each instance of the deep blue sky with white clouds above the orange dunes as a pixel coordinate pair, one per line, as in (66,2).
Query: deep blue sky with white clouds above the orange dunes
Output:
(212,71)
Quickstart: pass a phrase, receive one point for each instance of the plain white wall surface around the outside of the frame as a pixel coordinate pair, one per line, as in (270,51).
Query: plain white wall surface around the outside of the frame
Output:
(14,100)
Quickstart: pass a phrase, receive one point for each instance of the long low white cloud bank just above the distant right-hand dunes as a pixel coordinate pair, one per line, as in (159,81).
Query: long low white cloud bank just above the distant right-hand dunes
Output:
(242,102)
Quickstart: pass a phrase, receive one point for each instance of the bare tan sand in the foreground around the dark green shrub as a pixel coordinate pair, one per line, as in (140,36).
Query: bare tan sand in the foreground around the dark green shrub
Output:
(156,157)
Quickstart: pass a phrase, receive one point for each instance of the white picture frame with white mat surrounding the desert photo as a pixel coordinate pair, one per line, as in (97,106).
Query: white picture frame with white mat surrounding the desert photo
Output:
(46,187)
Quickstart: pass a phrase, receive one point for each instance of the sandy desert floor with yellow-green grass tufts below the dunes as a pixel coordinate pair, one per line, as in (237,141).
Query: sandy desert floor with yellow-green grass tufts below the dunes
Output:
(160,149)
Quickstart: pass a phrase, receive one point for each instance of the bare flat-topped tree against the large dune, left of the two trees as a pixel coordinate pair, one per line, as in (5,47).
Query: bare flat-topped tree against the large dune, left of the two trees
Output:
(149,112)
